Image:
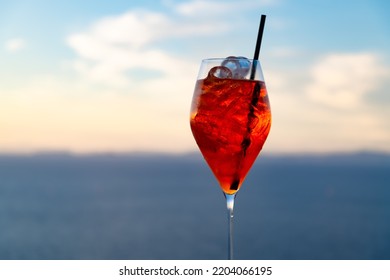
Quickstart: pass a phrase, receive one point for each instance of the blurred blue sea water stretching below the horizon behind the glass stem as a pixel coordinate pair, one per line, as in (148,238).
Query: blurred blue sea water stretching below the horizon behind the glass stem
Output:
(139,206)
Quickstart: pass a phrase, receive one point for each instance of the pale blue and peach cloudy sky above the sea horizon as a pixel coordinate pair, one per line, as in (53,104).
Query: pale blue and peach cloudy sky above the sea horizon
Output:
(118,76)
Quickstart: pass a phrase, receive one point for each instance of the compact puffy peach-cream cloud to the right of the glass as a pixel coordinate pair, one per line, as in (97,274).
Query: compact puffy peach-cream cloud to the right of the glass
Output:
(342,80)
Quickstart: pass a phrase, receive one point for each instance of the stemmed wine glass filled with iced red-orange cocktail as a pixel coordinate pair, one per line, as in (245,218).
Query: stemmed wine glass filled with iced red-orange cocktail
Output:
(230,121)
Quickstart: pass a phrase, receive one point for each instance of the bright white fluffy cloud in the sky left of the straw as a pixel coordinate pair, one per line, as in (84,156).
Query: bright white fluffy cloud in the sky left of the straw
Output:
(113,46)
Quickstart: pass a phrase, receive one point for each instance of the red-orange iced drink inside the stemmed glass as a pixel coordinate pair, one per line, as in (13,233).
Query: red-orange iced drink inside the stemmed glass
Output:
(230,121)
